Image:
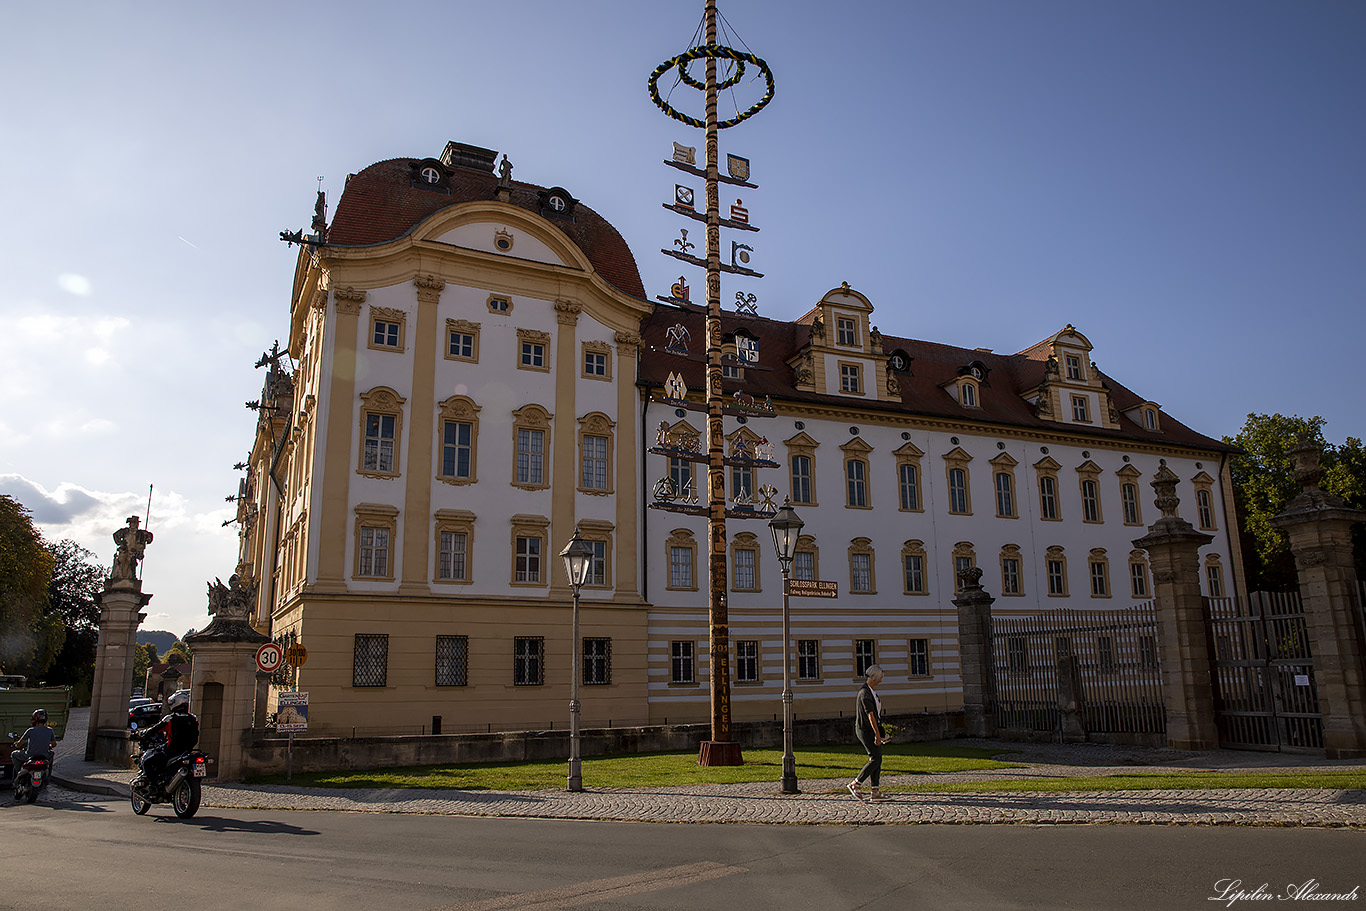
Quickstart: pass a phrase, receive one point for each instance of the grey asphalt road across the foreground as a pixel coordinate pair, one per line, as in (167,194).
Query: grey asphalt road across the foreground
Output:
(76,852)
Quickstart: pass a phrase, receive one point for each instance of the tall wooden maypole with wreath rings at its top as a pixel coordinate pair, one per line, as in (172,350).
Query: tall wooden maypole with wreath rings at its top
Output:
(722,749)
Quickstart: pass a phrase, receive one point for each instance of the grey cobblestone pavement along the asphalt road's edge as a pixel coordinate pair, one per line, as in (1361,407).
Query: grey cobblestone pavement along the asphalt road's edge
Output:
(826,801)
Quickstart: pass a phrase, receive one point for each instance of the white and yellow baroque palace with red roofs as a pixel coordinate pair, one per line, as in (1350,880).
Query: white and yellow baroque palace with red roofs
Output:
(476,372)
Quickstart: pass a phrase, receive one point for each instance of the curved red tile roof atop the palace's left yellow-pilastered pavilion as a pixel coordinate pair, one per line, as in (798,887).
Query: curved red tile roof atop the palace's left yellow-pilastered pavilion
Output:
(385,203)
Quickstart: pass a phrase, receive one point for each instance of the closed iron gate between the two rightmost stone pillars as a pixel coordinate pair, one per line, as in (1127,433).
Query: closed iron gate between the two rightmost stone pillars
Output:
(1266,696)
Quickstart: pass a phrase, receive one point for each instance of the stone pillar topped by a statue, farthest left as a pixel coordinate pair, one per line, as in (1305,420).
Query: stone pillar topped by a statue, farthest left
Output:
(121,613)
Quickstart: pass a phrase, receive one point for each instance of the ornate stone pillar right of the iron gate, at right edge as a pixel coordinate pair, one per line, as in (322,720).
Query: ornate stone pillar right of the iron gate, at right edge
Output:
(1320,531)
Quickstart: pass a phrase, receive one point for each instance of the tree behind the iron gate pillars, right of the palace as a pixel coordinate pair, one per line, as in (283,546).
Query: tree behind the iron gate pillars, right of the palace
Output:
(1264,484)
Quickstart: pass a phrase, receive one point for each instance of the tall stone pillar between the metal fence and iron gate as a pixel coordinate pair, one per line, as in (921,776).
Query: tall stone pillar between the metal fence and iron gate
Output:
(1173,547)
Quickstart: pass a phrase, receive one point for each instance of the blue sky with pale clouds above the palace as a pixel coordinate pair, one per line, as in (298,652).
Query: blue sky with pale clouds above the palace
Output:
(1181,181)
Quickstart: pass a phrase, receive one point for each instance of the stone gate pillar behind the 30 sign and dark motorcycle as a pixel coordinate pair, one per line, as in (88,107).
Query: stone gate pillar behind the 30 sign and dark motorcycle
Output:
(223,685)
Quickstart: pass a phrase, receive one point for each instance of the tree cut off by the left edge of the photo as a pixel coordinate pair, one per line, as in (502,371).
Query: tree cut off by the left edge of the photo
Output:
(27,634)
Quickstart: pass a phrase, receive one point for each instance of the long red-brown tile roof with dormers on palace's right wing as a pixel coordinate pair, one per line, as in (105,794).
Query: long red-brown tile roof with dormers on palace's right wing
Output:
(921,393)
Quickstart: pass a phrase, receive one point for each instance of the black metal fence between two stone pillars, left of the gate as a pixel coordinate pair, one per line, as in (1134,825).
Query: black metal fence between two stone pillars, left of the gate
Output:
(1114,681)
